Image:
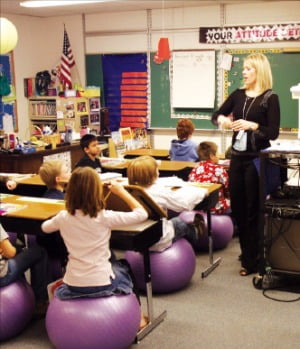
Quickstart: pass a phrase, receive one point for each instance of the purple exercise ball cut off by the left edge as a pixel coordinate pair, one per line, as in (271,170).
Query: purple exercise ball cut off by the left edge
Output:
(17,304)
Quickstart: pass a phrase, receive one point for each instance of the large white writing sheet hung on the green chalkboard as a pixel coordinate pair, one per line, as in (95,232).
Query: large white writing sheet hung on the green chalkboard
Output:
(193,83)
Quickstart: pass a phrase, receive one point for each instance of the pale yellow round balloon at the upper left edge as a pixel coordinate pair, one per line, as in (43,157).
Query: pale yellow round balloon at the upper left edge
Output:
(8,36)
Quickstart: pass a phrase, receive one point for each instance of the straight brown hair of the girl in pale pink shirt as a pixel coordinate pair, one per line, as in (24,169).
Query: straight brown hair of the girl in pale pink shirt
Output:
(85,192)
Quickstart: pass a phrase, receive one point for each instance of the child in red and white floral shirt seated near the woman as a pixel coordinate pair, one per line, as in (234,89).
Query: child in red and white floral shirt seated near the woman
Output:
(208,170)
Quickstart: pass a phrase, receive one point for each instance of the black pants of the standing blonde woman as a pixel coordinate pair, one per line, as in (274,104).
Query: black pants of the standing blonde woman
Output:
(244,196)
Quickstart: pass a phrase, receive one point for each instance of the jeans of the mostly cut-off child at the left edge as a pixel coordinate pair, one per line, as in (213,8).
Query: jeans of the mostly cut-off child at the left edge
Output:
(35,258)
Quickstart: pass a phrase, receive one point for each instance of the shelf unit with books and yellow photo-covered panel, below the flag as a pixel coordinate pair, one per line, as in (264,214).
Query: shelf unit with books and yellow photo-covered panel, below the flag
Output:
(60,113)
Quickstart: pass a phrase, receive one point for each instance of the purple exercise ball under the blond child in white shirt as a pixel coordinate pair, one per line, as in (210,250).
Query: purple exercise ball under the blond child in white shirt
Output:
(171,269)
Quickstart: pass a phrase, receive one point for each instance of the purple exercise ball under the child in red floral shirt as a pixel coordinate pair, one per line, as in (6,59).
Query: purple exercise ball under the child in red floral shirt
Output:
(221,229)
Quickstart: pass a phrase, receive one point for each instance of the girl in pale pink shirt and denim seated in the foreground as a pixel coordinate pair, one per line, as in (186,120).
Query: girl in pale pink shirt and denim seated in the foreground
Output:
(86,226)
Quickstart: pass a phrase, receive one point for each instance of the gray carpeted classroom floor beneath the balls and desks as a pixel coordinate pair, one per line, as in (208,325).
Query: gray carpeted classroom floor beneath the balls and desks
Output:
(221,311)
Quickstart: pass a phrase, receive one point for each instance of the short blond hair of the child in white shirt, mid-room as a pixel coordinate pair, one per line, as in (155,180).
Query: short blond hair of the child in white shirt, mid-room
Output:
(142,171)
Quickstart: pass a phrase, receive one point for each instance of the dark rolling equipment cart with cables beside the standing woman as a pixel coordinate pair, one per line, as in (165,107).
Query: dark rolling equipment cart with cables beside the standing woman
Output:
(280,220)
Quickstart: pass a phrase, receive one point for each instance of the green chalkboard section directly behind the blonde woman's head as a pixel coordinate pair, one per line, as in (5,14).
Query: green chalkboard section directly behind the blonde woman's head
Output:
(286,73)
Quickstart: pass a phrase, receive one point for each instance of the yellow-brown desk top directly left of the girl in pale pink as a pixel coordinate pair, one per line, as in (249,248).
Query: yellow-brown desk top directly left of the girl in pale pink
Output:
(34,208)
